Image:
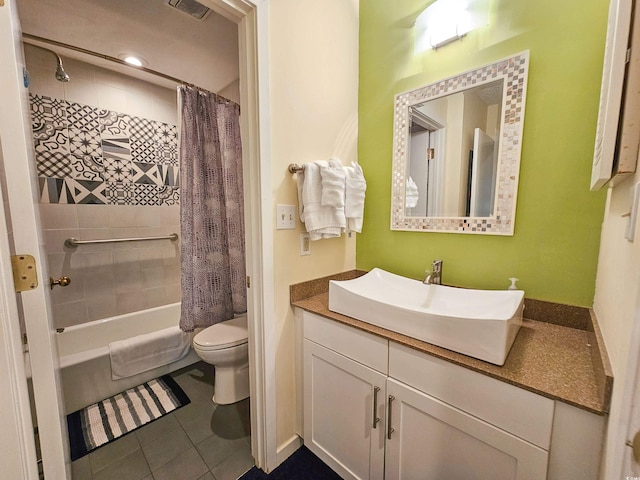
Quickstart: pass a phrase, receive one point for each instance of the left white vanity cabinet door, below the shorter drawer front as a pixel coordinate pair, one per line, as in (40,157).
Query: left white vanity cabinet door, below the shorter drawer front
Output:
(341,399)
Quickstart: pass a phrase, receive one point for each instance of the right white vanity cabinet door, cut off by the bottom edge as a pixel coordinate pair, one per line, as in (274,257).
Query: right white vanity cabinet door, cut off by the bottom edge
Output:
(432,440)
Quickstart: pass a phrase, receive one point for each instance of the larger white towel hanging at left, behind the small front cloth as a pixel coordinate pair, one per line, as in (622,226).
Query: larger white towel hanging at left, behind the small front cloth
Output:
(320,221)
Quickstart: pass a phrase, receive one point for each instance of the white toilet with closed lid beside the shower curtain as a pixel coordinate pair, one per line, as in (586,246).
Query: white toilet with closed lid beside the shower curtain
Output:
(225,346)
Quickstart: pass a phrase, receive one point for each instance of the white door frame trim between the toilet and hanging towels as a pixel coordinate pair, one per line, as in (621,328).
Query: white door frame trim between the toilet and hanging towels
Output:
(252,19)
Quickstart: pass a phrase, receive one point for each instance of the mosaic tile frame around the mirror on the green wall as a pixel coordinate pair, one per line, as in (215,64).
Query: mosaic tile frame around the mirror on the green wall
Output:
(513,71)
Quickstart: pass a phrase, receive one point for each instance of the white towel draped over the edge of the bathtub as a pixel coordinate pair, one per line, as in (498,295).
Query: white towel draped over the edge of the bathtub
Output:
(145,352)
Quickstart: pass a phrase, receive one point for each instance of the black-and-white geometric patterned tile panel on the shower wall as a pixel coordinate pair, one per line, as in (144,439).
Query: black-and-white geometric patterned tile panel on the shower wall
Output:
(89,155)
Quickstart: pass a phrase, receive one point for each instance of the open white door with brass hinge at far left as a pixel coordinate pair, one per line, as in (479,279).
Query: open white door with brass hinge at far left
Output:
(15,135)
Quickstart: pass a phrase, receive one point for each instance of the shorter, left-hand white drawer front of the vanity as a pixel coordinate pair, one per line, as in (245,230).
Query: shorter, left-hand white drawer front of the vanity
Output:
(358,345)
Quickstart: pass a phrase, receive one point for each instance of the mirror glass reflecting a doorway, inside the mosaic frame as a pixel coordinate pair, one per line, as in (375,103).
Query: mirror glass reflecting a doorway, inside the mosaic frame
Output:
(452,171)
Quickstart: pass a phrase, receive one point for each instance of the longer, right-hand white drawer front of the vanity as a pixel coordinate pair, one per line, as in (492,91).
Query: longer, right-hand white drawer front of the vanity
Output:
(515,410)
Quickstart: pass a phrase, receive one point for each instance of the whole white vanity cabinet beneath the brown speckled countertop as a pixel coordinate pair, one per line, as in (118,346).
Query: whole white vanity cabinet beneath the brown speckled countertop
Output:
(375,409)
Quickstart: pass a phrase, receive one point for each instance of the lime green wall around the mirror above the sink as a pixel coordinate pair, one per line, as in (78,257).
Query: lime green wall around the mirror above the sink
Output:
(557,228)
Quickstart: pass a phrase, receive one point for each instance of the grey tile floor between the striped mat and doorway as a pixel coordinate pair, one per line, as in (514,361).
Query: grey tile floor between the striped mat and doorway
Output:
(201,441)
